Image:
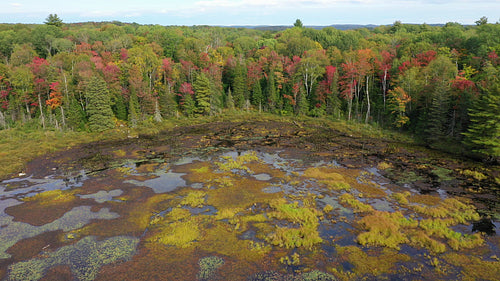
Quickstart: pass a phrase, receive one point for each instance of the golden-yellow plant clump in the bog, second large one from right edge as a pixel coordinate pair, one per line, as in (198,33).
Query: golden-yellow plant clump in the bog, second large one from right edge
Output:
(385,229)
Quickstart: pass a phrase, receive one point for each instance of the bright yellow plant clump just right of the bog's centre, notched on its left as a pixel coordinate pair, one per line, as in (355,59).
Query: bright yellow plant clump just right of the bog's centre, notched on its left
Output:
(305,235)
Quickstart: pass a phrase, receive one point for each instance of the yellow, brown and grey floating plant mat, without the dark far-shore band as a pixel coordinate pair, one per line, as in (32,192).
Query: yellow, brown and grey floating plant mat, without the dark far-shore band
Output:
(241,215)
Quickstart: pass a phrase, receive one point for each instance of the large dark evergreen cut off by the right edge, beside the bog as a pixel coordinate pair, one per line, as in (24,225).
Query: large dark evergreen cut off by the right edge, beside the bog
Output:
(483,135)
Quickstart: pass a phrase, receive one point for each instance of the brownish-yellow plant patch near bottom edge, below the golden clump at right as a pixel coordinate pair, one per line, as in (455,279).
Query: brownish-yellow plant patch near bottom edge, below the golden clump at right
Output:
(373,264)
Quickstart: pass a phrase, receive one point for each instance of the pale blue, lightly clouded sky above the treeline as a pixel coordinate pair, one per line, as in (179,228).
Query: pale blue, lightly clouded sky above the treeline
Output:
(251,12)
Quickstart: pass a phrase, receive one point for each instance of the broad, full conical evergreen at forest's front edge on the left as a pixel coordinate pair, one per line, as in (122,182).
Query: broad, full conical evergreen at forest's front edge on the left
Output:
(98,108)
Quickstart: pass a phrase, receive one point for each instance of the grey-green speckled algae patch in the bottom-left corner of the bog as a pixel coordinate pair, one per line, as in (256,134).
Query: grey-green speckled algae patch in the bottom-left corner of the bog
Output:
(85,258)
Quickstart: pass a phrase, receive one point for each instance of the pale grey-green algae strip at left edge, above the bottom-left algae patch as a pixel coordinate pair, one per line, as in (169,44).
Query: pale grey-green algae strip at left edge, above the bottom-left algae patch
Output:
(12,232)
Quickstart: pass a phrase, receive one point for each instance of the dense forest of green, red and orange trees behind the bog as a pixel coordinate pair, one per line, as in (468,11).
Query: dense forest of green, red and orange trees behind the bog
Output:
(440,84)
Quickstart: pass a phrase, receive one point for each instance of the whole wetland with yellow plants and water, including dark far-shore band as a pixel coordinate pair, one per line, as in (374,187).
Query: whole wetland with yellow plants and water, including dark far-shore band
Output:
(251,200)
